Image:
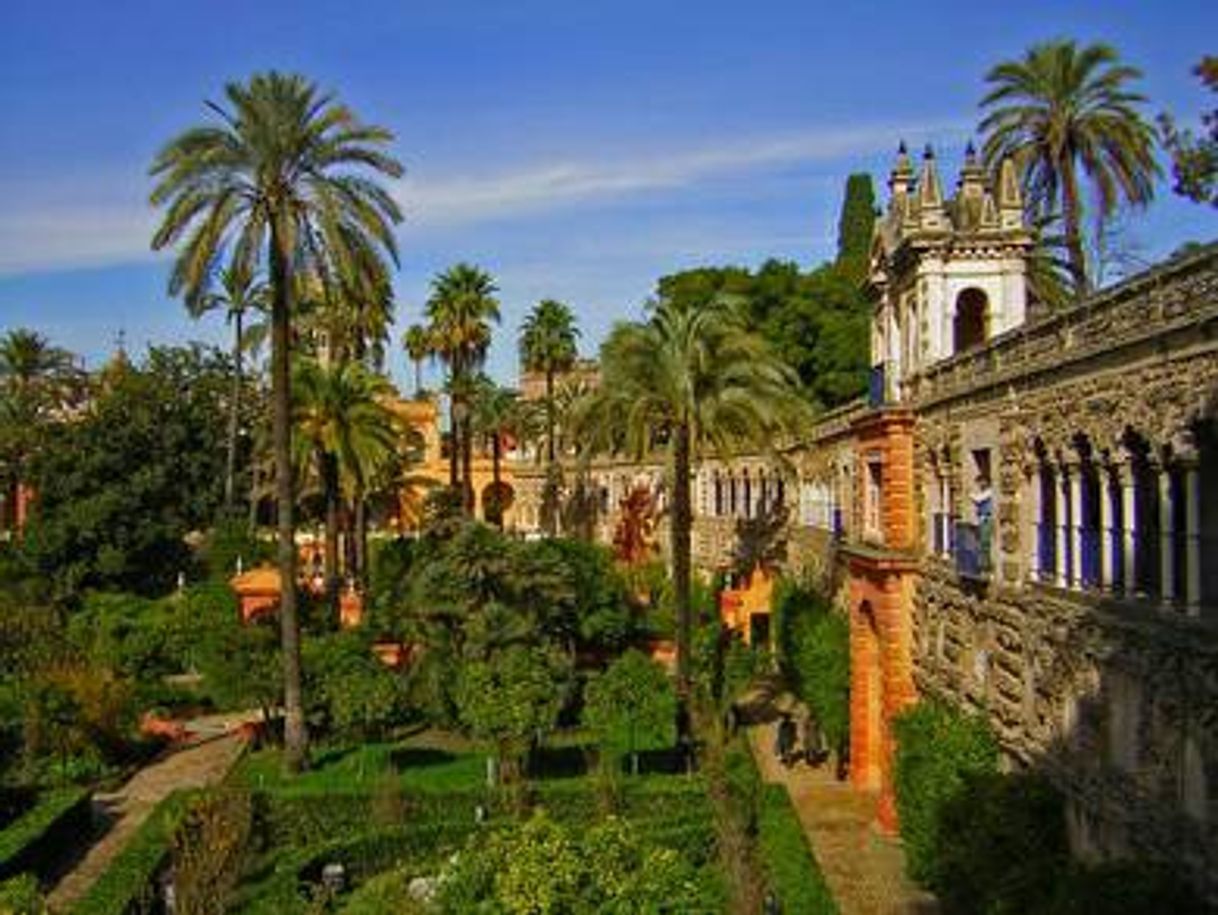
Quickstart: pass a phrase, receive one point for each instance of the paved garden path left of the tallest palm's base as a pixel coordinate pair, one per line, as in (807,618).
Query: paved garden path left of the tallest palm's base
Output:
(216,746)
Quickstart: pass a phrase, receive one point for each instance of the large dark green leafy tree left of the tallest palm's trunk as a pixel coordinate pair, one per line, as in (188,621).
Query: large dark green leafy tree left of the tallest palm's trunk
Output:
(122,486)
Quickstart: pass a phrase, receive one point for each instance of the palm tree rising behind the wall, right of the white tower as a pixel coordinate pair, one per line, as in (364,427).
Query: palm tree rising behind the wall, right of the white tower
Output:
(1063,108)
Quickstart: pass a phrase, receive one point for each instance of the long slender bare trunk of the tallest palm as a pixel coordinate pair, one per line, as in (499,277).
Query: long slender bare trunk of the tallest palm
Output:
(295,737)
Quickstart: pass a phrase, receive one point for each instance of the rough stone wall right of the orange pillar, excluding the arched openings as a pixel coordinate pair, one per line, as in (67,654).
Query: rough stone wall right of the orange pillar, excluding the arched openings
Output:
(1115,696)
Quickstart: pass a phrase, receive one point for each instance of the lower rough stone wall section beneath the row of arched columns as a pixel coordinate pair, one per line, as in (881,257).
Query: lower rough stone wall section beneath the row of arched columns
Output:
(1118,704)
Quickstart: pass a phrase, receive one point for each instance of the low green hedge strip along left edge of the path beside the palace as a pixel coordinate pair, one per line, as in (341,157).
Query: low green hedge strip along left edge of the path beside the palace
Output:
(790,864)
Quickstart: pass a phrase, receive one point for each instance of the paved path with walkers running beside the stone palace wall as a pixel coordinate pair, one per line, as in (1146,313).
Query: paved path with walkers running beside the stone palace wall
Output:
(864,871)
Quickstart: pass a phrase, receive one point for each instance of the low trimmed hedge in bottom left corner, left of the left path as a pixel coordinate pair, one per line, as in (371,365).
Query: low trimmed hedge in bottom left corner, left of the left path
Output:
(35,843)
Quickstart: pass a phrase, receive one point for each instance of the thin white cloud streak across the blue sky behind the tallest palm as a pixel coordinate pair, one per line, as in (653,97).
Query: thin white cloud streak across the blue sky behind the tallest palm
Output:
(47,230)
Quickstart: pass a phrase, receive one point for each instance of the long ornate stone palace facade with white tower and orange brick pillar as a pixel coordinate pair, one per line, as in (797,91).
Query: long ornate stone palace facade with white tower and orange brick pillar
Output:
(1021,517)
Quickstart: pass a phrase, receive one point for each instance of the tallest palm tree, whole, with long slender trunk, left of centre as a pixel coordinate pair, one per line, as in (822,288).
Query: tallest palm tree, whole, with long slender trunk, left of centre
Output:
(282,177)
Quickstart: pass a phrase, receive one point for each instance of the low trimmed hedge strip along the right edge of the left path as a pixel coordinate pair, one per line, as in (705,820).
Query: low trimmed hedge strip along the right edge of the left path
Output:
(127,886)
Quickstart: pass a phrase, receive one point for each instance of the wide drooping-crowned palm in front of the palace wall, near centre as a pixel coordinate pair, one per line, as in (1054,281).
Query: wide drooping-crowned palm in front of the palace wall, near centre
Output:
(692,378)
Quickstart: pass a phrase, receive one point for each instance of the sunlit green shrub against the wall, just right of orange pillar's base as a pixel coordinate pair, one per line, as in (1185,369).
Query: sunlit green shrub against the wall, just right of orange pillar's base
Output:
(937,749)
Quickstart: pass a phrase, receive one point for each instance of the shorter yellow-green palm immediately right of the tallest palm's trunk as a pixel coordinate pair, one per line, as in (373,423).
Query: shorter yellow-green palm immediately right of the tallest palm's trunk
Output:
(348,434)
